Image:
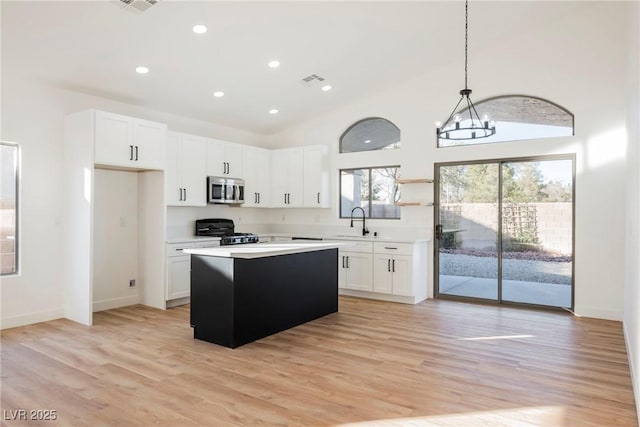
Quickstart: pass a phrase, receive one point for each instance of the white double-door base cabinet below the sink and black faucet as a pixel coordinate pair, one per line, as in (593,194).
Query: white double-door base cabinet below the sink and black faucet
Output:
(355,266)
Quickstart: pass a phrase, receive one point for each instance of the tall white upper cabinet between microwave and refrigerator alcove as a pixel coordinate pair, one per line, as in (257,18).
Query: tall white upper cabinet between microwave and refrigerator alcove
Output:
(185,174)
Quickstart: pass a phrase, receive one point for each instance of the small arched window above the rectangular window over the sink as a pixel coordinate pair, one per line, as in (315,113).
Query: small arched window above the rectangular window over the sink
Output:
(373,133)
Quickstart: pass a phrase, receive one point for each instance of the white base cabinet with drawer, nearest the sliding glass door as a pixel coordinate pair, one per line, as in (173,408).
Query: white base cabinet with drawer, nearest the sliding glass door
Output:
(393,268)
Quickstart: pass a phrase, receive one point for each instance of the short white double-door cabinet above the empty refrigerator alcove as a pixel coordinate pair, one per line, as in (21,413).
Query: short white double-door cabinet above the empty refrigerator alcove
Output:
(123,141)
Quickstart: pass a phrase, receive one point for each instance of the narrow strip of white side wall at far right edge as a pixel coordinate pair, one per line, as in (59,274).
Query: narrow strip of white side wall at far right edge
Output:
(632,277)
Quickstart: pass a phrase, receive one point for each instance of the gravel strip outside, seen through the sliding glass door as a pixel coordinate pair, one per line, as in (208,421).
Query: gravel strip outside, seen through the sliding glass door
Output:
(512,269)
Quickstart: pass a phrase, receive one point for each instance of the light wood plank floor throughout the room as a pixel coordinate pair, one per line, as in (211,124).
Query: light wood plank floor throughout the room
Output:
(439,363)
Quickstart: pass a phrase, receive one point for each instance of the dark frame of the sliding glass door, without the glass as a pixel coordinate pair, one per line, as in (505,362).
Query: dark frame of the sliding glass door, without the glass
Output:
(500,162)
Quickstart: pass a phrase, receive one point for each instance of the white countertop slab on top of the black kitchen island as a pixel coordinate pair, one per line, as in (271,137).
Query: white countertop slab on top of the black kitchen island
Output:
(260,250)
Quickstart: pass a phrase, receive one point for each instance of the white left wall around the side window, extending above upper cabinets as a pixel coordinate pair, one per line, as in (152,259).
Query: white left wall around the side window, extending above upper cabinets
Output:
(33,115)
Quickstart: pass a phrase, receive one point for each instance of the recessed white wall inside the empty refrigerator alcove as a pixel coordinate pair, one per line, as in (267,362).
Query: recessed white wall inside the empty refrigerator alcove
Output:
(115,239)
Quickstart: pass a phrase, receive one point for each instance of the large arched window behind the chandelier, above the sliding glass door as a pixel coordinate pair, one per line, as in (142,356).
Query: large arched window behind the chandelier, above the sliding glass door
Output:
(519,117)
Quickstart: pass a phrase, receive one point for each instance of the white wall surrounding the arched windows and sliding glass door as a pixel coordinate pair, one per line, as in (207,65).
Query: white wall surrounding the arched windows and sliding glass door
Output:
(580,63)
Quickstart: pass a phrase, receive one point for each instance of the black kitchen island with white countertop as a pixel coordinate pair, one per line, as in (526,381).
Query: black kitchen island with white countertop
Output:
(242,293)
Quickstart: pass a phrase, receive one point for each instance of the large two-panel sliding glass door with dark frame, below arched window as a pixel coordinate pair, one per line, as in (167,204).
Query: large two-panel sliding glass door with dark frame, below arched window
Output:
(505,231)
